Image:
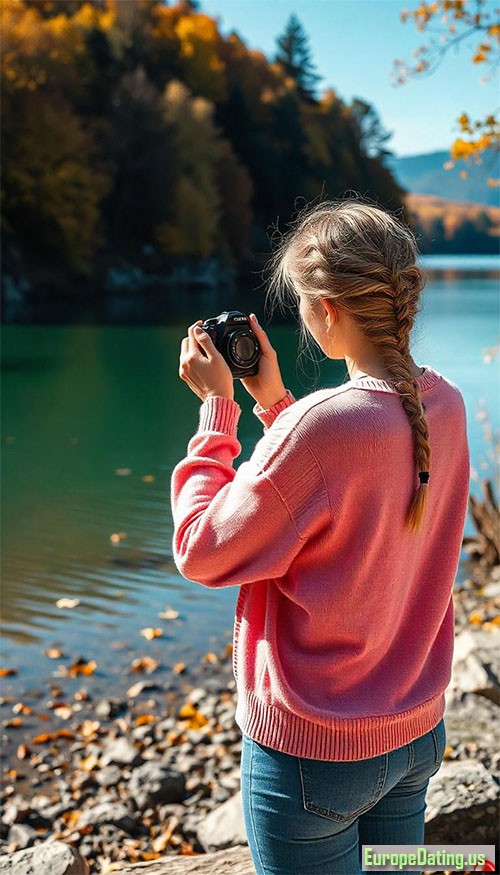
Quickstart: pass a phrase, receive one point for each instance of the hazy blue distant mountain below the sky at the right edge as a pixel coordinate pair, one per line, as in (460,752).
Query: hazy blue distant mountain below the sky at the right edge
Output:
(425,174)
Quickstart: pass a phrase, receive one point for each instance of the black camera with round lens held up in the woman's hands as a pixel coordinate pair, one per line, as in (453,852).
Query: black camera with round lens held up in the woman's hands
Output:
(233,337)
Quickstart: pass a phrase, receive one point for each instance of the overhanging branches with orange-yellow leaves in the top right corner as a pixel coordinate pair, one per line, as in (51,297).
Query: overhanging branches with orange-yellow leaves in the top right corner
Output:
(450,22)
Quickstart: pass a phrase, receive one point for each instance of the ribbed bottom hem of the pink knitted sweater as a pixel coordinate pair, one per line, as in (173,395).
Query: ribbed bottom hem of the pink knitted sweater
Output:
(342,738)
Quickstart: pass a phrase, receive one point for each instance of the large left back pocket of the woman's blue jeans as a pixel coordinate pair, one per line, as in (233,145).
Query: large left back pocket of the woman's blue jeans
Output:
(341,791)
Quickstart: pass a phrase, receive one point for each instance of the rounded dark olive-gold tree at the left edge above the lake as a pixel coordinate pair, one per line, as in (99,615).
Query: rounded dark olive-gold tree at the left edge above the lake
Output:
(52,183)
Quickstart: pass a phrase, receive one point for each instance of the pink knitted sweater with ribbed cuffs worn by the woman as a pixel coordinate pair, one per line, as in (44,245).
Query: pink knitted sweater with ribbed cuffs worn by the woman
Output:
(344,626)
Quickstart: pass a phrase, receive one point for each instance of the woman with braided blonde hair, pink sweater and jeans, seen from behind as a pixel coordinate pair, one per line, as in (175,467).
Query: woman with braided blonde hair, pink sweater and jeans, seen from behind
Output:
(343,531)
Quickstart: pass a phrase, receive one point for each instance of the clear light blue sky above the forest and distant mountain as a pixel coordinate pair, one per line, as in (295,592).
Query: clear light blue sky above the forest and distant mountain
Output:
(354,44)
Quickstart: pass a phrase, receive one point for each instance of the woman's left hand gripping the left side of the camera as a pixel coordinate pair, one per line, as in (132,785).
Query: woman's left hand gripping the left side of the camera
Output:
(202,366)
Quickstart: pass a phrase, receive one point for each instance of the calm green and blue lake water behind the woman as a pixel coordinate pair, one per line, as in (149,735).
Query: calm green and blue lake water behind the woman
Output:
(95,418)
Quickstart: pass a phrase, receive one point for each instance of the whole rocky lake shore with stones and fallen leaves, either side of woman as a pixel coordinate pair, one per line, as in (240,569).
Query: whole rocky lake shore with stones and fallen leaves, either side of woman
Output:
(149,781)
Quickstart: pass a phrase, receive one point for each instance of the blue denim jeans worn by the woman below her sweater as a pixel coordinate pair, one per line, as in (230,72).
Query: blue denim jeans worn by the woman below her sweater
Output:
(311,817)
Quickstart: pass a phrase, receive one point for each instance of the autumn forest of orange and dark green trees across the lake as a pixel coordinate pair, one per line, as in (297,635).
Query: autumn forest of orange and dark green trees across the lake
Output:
(134,132)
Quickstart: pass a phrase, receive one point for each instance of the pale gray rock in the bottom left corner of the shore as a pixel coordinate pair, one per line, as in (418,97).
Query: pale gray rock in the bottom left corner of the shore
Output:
(49,858)
